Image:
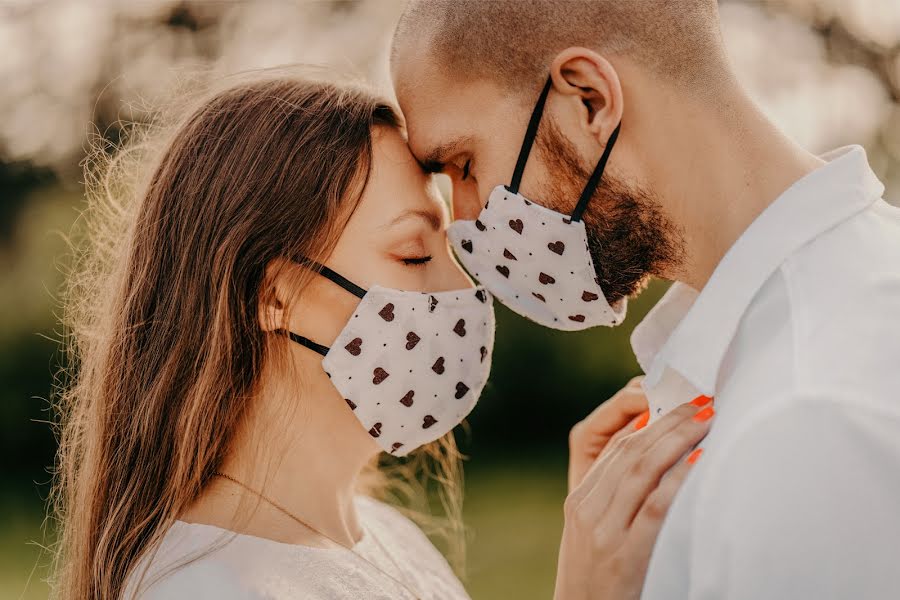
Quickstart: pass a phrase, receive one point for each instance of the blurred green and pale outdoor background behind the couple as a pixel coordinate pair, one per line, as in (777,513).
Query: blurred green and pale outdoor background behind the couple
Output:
(827,72)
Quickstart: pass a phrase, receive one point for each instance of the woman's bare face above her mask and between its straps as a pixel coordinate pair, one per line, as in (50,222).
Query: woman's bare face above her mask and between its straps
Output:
(396,238)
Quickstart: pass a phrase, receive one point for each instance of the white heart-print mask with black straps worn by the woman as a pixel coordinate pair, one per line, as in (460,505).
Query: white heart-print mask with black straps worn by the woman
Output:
(410,365)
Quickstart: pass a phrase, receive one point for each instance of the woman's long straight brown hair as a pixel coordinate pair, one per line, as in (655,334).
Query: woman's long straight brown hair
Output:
(162,311)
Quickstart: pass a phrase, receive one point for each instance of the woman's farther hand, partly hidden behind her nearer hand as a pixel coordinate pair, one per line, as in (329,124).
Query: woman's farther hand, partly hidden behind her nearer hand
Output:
(591,435)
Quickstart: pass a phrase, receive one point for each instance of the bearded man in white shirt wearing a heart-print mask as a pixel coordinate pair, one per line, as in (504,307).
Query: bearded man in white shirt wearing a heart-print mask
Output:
(786,306)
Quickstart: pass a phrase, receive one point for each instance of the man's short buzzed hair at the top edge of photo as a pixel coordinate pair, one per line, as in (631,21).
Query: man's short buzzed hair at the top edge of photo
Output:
(514,41)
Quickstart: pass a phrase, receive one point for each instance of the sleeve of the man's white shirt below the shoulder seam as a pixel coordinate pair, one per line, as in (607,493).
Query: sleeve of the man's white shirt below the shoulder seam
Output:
(800,503)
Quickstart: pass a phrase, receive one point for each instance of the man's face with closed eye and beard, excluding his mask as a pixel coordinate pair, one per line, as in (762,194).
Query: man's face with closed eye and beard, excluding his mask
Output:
(473,131)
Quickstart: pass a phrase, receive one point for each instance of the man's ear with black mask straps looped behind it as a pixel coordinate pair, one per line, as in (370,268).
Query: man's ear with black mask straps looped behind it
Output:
(591,78)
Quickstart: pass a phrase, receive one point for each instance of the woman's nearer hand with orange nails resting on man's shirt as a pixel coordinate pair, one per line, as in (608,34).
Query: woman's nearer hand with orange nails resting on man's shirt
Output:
(614,514)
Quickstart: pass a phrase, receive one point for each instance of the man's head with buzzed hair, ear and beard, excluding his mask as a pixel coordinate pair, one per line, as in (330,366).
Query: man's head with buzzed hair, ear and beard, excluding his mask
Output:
(468,72)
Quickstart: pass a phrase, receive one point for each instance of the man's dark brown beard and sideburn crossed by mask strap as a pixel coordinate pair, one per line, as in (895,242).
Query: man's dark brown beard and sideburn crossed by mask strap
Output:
(629,237)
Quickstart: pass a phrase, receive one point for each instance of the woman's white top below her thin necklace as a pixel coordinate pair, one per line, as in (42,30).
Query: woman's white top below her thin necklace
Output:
(253,568)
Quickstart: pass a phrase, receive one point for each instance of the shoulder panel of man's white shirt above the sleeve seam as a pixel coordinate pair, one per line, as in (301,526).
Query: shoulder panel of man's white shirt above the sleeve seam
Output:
(843,291)
